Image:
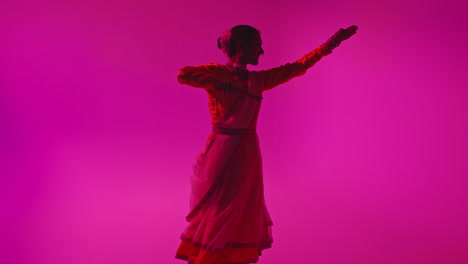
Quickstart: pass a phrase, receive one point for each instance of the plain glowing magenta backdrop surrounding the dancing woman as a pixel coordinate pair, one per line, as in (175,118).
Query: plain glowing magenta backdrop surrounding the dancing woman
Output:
(365,157)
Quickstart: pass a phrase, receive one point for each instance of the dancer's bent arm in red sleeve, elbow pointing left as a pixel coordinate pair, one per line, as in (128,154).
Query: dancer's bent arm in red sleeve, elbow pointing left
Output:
(203,76)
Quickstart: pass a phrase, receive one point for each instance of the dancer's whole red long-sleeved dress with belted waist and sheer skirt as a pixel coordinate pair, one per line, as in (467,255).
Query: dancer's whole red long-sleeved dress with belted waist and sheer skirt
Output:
(228,221)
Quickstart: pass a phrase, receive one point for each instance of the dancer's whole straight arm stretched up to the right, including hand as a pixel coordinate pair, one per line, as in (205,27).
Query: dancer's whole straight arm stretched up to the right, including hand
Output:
(276,76)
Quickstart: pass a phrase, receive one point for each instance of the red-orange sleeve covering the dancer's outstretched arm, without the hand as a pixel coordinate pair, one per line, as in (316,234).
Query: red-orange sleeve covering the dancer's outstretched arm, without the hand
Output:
(276,76)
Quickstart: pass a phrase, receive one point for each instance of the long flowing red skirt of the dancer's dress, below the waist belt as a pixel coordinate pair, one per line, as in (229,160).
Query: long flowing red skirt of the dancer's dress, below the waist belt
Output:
(228,220)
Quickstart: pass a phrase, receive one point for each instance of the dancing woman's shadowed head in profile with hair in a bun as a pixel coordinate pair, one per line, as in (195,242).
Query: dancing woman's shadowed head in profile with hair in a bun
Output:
(243,41)
